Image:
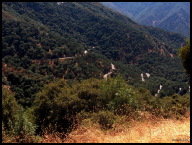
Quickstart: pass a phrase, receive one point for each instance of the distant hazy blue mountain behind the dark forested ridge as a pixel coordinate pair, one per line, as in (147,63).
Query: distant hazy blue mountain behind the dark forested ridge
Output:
(171,16)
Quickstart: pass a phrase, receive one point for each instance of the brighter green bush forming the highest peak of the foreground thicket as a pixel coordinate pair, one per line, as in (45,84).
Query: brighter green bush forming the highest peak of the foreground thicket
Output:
(117,96)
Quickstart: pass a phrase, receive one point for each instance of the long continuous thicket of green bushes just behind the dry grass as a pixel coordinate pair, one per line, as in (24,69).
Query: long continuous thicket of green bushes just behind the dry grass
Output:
(58,105)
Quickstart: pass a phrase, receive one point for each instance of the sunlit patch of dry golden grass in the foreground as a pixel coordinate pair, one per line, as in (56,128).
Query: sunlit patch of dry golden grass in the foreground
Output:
(164,131)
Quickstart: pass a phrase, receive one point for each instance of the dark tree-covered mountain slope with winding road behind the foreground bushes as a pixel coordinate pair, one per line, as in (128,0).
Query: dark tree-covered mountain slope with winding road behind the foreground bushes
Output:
(44,41)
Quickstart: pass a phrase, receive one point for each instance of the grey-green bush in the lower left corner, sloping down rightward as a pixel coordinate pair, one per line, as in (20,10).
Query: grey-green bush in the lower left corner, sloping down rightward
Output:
(14,119)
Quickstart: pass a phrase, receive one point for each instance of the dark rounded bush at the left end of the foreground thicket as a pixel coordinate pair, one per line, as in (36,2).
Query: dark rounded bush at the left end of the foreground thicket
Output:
(56,107)
